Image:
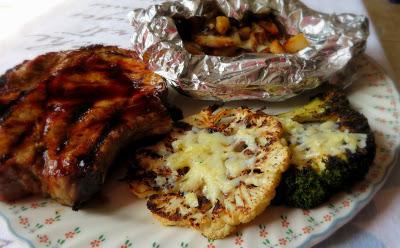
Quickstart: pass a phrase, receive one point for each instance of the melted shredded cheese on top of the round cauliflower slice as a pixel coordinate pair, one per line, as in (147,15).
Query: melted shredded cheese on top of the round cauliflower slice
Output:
(213,160)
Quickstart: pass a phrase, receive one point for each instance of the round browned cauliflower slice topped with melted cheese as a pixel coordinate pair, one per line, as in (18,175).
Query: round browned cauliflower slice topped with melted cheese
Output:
(215,170)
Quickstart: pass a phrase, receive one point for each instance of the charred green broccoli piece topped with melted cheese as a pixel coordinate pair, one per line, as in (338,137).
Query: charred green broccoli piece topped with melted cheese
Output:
(315,175)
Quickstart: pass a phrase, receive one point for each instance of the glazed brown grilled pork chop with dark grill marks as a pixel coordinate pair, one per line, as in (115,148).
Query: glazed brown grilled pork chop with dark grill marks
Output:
(64,116)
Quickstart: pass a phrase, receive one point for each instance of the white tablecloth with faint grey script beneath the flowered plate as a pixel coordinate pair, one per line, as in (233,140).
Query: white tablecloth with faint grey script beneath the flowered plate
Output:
(29,28)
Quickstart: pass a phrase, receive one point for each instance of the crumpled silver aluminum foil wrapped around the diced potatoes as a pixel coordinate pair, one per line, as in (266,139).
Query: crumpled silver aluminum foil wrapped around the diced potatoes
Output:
(335,39)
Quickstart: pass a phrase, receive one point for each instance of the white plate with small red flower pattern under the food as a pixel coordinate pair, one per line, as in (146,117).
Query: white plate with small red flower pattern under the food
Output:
(117,219)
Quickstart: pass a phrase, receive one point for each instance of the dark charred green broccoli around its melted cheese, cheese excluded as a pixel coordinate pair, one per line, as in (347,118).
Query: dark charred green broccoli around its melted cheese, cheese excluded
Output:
(304,186)
